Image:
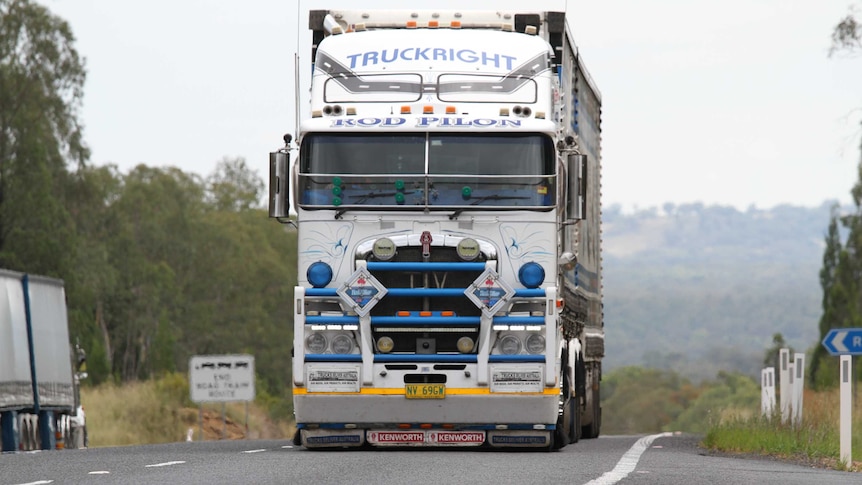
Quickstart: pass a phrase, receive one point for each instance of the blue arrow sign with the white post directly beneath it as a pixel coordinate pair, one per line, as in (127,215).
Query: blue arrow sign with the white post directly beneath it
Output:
(845,342)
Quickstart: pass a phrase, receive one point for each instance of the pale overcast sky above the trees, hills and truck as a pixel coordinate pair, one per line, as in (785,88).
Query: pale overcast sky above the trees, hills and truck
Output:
(732,102)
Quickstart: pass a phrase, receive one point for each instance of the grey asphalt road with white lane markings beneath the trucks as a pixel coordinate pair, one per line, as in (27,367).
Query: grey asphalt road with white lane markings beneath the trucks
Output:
(657,459)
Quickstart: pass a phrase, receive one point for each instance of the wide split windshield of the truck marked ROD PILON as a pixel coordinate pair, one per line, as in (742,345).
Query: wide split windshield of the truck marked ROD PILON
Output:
(438,171)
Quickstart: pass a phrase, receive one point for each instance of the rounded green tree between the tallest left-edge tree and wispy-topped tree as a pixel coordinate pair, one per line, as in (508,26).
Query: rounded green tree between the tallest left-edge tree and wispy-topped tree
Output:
(151,246)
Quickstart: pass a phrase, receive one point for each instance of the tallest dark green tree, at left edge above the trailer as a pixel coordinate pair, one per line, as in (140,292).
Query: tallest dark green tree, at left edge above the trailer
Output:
(41,81)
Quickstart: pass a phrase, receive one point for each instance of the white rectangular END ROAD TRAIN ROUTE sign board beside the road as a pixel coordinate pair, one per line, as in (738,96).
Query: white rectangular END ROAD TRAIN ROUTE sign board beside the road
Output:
(221,378)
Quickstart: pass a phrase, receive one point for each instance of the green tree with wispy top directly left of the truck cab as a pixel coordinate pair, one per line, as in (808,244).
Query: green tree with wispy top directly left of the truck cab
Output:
(243,301)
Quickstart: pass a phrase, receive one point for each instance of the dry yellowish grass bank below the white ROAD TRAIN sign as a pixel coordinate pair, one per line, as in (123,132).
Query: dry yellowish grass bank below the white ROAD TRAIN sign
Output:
(160,412)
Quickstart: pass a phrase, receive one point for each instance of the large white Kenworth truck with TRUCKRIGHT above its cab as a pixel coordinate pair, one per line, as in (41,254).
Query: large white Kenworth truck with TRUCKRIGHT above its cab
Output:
(447,202)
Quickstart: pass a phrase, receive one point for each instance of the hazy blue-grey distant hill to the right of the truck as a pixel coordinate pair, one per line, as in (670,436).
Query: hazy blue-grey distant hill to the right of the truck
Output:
(697,289)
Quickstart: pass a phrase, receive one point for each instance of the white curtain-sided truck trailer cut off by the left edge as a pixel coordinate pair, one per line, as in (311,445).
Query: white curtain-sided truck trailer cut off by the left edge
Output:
(39,396)
